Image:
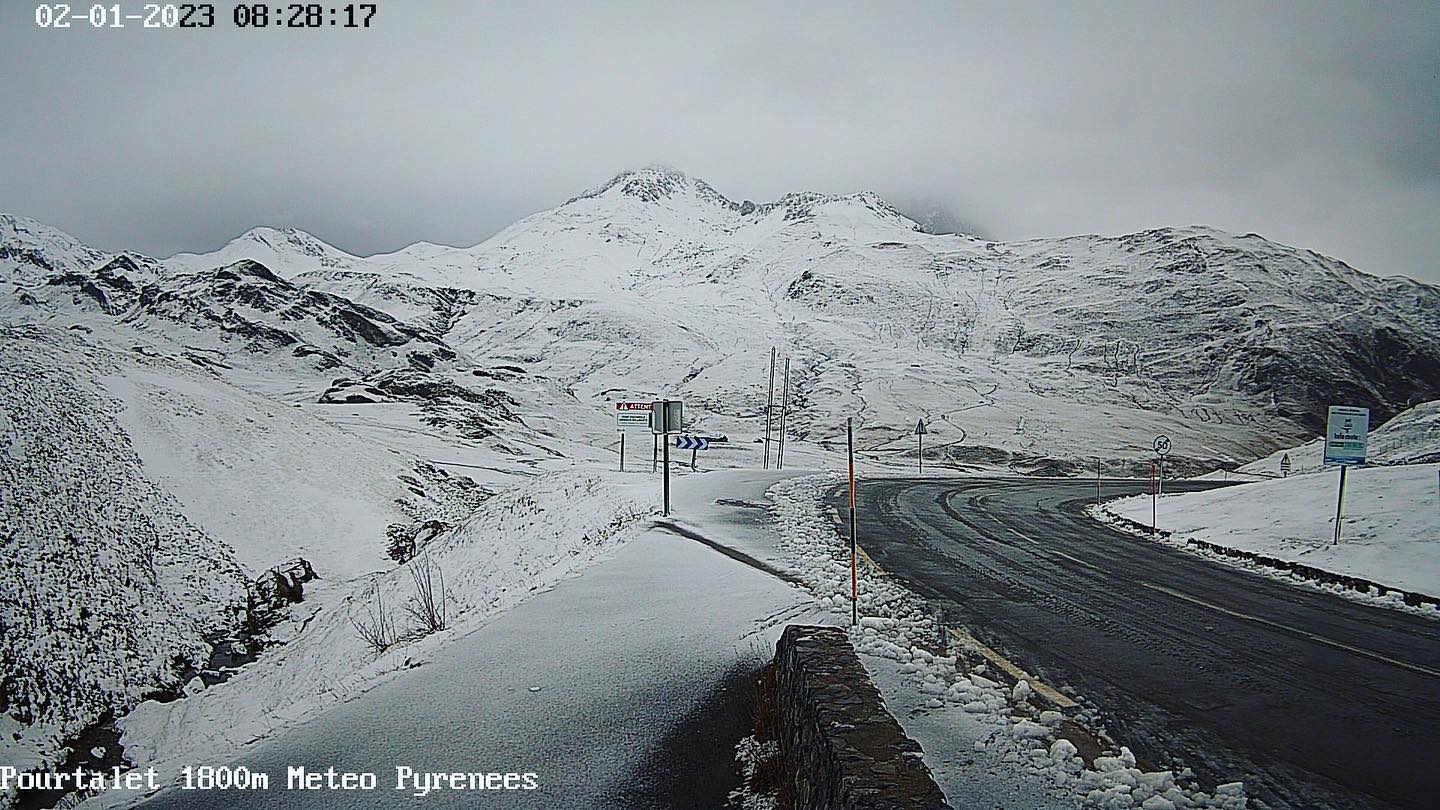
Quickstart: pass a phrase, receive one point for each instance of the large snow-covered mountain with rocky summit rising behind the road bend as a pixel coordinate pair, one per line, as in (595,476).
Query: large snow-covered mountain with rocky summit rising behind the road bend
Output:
(1014,352)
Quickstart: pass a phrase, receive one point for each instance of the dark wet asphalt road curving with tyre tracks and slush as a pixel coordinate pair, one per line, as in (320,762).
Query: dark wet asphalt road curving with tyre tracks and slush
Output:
(1313,700)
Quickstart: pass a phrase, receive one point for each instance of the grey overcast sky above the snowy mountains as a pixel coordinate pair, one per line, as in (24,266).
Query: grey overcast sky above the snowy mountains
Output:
(1311,123)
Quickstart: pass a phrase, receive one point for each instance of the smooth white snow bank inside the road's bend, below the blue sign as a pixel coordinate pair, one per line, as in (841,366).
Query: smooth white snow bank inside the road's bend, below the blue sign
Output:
(1392,531)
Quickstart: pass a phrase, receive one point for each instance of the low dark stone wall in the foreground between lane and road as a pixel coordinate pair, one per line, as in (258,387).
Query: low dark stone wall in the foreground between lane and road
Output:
(845,749)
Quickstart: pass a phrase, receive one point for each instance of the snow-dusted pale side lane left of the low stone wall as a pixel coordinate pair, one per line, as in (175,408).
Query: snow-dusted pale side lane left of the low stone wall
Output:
(617,690)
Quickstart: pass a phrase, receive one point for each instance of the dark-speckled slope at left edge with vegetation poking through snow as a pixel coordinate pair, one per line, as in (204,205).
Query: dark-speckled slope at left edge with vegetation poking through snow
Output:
(107,589)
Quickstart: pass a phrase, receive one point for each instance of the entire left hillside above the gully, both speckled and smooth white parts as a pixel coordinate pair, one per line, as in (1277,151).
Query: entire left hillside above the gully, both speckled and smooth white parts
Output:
(140,497)
